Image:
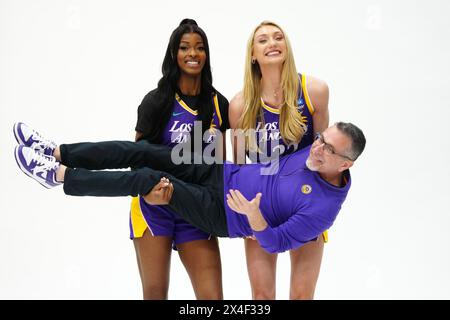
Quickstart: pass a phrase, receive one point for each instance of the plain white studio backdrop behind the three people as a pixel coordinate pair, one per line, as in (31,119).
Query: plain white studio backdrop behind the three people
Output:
(77,70)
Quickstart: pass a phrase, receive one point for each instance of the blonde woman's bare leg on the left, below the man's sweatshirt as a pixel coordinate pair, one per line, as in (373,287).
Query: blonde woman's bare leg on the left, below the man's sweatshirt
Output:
(261,267)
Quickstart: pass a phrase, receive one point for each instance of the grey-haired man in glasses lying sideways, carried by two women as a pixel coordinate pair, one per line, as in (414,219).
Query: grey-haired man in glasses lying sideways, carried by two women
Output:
(286,209)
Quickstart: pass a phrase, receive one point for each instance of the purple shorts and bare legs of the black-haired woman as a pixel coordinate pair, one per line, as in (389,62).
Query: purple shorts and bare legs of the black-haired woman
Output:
(149,225)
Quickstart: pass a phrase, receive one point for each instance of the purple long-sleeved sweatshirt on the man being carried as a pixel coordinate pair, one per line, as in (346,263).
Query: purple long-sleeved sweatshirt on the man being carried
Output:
(296,202)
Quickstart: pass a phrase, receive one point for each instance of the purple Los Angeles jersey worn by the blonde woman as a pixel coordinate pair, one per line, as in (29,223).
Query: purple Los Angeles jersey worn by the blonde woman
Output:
(268,129)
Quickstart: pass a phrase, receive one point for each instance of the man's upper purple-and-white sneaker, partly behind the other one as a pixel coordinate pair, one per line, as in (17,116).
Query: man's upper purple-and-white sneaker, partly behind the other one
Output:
(31,138)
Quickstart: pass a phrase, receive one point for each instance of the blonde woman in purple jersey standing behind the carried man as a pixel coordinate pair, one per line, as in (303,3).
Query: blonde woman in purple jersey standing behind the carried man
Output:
(286,109)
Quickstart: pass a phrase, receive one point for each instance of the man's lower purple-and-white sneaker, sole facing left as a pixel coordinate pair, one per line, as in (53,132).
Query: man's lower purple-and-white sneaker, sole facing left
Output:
(38,166)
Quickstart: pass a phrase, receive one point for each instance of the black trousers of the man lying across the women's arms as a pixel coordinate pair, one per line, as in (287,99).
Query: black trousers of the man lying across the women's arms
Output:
(198,188)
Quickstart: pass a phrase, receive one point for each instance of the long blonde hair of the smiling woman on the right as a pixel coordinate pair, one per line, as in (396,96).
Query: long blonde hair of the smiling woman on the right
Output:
(292,128)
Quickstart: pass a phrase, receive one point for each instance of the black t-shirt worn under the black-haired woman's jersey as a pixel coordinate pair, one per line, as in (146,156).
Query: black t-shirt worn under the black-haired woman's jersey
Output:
(144,110)
